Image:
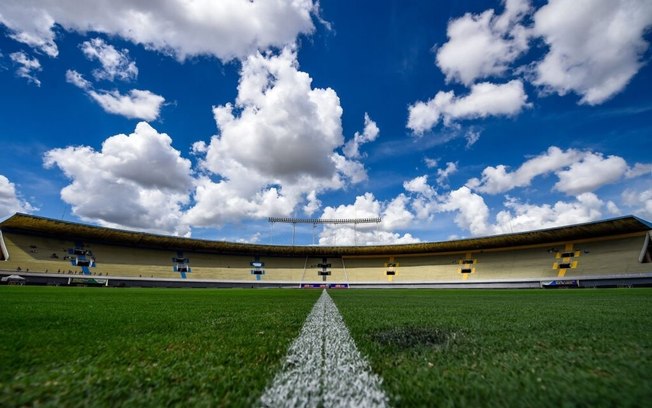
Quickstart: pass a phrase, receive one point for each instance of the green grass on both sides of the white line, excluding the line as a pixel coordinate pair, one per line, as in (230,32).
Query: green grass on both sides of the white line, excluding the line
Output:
(154,347)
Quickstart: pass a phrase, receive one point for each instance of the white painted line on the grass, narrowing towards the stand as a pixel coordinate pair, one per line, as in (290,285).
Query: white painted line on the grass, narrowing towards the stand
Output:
(323,367)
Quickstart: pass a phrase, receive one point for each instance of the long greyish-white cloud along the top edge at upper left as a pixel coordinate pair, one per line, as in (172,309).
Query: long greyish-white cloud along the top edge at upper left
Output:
(226,29)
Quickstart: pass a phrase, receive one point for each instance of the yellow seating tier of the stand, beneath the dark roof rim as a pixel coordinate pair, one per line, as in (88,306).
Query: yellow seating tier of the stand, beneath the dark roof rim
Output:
(608,256)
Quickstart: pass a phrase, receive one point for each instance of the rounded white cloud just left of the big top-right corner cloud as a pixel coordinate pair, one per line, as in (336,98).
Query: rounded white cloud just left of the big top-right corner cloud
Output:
(483,45)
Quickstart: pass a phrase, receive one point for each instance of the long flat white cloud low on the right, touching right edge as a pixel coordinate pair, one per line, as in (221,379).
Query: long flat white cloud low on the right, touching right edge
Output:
(578,172)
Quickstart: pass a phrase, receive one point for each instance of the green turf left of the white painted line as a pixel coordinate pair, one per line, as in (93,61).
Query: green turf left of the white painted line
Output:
(143,347)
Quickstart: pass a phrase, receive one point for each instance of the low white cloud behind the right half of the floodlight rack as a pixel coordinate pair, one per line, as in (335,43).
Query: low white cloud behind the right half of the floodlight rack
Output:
(394,214)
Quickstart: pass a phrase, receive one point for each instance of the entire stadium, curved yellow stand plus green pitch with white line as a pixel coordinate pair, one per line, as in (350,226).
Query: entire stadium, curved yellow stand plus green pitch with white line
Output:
(387,340)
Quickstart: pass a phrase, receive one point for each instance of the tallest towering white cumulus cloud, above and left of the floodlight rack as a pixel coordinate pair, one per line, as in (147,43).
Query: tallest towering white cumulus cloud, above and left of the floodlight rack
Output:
(275,148)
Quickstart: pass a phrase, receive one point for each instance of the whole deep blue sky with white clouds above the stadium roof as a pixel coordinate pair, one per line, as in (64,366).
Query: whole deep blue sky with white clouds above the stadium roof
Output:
(446,119)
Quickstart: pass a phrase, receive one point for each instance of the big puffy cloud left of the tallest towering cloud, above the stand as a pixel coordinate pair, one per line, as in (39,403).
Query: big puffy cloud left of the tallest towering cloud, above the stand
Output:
(137,181)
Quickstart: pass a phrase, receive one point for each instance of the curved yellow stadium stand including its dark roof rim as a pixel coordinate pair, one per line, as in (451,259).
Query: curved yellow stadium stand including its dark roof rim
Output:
(605,250)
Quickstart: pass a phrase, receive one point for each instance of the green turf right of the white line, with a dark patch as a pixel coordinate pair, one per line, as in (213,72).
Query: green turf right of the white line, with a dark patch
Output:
(506,348)
